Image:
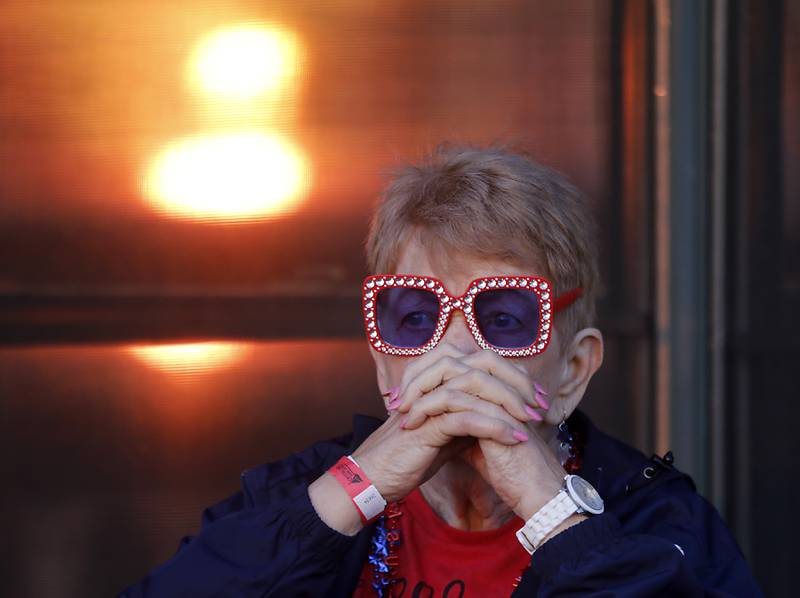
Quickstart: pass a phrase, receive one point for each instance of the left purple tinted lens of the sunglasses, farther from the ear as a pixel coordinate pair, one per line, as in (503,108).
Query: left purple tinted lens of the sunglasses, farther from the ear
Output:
(407,317)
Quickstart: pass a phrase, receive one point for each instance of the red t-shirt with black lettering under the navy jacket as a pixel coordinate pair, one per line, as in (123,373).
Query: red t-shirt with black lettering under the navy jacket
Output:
(437,560)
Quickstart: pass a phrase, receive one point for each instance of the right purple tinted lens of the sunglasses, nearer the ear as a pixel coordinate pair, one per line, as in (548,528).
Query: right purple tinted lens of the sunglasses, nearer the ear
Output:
(508,318)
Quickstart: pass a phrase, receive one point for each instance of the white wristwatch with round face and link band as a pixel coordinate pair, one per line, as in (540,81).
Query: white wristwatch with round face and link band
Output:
(577,496)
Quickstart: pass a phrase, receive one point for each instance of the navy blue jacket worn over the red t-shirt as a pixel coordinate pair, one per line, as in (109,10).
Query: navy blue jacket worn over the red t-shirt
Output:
(658,537)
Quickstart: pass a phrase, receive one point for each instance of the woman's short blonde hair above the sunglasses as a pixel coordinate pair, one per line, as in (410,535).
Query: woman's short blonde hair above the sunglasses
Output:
(492,203)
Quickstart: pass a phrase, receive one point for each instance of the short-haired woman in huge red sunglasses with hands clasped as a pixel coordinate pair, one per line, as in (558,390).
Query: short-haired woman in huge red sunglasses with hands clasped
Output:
(484,479)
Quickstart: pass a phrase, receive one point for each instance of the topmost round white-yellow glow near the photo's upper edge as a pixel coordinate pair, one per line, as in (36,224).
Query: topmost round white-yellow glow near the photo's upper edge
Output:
(244,61)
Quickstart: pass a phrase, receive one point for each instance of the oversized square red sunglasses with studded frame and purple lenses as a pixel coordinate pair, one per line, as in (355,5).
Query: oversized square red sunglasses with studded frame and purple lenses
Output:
(407,314)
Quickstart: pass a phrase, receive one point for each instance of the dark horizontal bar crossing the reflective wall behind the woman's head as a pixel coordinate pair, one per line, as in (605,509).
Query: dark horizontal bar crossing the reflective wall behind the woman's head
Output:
(74,318)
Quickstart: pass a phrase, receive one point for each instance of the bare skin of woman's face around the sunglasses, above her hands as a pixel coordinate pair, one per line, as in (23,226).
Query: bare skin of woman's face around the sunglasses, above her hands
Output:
(546,368)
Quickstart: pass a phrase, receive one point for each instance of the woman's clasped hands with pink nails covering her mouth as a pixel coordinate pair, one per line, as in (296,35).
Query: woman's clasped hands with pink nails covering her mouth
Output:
(479,407)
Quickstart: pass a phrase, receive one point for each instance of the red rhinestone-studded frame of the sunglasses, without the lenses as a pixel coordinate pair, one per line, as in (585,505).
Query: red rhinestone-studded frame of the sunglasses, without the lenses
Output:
(449,303)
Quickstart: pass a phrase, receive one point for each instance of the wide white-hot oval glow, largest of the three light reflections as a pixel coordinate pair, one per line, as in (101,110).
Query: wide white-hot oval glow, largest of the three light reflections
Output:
(228,177)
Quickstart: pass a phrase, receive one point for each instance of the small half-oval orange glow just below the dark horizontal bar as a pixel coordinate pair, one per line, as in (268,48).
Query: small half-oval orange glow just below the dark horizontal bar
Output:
(191,358)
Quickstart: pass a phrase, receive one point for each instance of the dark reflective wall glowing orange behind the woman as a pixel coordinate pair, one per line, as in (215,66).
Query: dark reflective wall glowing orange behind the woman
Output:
(146,359)
